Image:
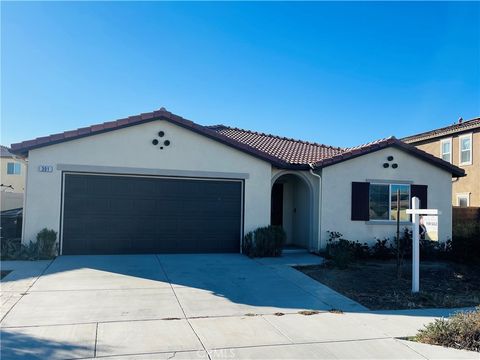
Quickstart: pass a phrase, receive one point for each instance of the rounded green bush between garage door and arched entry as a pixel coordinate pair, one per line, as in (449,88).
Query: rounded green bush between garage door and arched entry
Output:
(264,242)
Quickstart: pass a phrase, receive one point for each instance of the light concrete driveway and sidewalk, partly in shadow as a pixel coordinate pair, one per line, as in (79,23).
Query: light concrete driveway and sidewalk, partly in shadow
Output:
(192,307)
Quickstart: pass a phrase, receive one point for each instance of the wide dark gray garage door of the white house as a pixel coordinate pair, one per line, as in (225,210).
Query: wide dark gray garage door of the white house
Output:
(127,214)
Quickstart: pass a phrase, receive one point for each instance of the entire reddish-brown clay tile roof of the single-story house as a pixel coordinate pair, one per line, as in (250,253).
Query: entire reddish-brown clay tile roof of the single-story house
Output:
(281,152)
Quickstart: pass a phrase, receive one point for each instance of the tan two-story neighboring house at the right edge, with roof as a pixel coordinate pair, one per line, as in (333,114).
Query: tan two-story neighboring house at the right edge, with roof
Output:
(458,144)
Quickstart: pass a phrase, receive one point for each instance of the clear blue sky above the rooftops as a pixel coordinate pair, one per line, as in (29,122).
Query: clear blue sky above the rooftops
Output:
(337,73)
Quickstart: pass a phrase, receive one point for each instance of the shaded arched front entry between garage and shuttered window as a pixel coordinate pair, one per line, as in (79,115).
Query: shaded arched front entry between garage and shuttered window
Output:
(291,208)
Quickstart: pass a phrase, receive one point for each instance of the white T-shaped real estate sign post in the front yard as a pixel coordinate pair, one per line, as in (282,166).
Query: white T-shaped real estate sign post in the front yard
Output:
(415,211)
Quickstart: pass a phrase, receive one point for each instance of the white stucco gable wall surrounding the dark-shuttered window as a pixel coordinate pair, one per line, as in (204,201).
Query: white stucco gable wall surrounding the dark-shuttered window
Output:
(337,188)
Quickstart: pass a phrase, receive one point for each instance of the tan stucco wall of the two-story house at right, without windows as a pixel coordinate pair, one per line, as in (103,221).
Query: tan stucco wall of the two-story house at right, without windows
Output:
(471,182)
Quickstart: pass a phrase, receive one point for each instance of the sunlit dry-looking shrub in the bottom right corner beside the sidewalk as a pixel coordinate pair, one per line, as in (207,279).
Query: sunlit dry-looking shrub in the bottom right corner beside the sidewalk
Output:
(461,331)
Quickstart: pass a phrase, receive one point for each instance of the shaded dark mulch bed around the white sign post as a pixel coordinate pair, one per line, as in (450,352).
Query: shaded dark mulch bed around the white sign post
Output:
(375,285)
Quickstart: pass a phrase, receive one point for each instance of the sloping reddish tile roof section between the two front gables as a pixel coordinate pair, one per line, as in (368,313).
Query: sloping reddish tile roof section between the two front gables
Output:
(290,151)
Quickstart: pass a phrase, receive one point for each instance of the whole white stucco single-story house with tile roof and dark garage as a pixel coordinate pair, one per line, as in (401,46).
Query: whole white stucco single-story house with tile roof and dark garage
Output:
(159,183)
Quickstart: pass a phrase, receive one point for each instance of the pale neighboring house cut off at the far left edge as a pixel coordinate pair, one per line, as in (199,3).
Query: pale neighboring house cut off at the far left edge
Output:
(12,176)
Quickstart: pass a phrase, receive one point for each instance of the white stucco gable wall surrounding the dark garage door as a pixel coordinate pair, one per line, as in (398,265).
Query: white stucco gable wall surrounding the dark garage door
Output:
(132,148)
